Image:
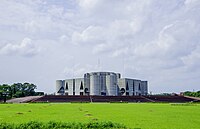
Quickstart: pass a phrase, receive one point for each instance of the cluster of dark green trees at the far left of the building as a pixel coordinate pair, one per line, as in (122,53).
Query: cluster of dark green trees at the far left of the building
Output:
(18,90)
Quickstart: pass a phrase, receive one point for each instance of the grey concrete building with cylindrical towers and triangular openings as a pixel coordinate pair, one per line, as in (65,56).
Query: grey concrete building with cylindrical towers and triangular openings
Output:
(103,84)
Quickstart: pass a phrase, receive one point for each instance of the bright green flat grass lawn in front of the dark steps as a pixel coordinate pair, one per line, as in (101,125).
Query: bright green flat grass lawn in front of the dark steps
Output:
(133,115)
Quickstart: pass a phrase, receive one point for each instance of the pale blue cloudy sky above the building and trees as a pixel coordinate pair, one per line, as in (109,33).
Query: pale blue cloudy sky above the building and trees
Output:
(42,41)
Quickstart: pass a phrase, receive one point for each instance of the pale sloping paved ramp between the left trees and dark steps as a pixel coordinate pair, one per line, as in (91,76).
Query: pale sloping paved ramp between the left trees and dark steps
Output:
(23,99)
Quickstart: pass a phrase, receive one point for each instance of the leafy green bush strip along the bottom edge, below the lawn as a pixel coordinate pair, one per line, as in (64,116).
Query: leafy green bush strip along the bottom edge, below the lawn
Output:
(62,125)
